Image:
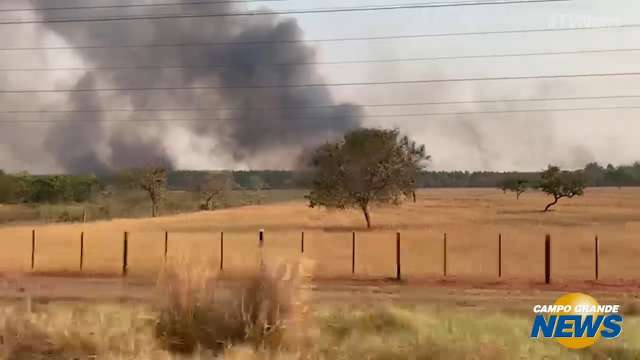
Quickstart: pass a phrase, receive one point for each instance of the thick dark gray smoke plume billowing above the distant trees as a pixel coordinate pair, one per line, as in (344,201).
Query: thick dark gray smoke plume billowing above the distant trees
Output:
(236,127)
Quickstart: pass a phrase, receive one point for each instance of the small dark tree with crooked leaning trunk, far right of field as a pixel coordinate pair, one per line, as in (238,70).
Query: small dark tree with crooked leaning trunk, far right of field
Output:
(561,184)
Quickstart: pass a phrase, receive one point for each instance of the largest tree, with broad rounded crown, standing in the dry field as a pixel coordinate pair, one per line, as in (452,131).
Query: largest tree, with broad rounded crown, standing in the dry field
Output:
(366,166)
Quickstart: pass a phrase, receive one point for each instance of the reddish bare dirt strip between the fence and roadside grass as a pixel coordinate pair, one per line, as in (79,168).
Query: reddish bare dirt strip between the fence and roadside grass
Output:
(512,295)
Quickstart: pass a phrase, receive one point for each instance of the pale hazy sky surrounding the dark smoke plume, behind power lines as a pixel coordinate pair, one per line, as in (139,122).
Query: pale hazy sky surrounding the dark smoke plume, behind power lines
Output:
(508,141)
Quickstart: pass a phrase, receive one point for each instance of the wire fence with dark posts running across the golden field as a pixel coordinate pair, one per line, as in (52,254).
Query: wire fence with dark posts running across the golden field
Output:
(386,254)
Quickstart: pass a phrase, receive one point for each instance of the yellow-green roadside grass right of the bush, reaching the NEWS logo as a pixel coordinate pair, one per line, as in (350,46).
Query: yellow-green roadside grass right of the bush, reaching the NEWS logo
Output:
(423,333)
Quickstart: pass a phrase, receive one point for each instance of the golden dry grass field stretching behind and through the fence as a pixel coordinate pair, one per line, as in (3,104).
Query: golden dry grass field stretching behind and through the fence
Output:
(472,219)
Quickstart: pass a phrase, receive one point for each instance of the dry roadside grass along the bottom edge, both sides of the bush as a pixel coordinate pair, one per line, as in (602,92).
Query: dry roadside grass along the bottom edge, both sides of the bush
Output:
(64,331)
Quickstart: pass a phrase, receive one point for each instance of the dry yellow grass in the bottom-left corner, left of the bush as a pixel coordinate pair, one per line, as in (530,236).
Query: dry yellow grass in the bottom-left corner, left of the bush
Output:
(62,332)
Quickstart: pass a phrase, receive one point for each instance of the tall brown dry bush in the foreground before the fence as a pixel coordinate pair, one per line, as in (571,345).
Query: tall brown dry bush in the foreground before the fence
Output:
(202,311)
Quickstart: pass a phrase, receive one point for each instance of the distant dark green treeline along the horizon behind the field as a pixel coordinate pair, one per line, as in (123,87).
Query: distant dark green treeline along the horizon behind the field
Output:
(26,188)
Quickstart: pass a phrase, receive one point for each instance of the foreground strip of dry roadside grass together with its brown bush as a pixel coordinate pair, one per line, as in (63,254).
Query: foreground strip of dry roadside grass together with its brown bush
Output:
(270,314)
